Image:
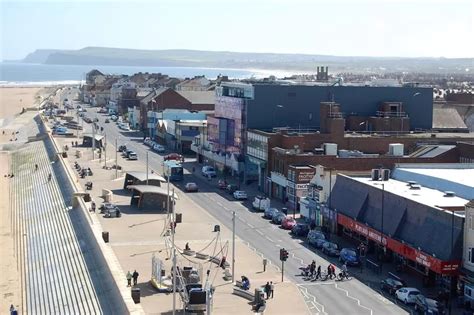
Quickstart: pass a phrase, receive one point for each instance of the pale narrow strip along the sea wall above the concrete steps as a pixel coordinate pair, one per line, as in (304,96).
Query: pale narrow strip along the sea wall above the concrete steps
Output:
(109,255)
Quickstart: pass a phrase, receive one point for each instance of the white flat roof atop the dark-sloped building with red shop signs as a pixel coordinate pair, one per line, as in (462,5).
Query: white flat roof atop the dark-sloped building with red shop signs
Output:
(426,196)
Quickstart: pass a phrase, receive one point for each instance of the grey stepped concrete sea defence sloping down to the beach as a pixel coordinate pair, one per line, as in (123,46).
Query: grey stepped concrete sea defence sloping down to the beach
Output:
(56,276)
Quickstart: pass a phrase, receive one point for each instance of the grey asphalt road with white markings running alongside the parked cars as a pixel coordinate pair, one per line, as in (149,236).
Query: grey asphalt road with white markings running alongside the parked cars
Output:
(322,297)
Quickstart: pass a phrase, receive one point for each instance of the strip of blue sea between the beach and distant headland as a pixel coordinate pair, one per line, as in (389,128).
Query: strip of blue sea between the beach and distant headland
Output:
(28,74)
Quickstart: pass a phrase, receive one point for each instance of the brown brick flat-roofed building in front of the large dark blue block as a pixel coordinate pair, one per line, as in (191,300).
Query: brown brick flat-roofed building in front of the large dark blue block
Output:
(273,153)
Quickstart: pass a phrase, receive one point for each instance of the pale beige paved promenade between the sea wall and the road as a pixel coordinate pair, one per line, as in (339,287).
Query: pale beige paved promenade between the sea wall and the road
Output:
(136,237)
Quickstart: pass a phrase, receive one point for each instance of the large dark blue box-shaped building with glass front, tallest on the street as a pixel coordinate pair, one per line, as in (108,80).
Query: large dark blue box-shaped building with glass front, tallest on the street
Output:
(240,107)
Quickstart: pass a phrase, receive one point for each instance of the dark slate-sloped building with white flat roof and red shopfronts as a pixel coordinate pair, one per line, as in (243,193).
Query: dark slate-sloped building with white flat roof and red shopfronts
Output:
(396,220)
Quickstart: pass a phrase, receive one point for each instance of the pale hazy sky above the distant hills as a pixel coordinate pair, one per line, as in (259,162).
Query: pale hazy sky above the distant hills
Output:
(403,28)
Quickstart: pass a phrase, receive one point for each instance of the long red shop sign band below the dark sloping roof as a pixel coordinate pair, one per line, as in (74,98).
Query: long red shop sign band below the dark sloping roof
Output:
(433,263)
